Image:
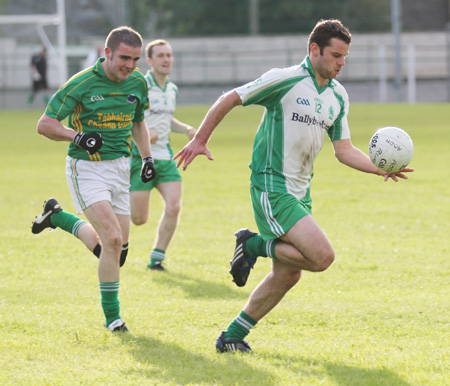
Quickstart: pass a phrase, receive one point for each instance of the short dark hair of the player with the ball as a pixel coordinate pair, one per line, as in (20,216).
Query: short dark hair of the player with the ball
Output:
(325,30)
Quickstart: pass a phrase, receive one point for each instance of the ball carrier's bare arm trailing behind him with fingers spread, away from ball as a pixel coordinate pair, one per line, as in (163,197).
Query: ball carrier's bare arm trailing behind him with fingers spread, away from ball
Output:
(214,116)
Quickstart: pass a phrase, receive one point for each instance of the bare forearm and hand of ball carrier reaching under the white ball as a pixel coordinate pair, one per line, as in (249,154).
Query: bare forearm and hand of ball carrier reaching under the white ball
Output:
(351,156)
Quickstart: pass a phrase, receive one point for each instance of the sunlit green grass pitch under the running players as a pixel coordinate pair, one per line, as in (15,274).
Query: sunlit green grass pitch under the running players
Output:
(378,316)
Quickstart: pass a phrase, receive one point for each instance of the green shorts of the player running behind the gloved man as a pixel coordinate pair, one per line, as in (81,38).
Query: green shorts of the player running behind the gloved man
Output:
(166,171)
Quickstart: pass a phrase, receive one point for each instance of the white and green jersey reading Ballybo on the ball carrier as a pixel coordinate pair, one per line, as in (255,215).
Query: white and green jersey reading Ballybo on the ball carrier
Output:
(297,115)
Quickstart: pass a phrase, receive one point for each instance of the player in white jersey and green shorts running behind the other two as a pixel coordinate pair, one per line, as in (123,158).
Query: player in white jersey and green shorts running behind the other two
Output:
(162,94)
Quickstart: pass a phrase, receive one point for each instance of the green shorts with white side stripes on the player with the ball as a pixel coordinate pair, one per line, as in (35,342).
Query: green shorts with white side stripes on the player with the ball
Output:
(276,213)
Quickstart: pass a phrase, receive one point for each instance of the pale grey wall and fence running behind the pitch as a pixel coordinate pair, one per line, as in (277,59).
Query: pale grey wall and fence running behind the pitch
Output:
(204,68)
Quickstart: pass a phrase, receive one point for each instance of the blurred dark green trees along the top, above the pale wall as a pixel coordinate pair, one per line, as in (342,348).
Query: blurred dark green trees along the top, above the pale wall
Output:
(175,18)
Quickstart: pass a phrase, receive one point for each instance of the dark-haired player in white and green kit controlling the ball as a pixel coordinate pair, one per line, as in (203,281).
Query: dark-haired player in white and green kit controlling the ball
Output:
(302,103)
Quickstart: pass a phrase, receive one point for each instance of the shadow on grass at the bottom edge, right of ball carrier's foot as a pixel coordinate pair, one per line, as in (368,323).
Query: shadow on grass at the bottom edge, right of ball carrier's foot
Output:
(340,373)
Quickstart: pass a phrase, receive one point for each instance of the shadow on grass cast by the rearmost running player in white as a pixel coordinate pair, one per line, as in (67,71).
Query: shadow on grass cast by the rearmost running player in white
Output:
(198,288)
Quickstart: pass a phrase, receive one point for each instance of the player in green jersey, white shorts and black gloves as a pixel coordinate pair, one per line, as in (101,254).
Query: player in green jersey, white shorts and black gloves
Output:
(105,106)
